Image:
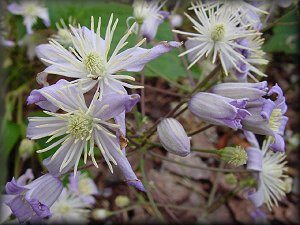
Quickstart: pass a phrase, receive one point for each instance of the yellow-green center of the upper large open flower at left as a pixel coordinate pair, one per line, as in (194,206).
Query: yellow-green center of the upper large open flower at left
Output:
(95,65)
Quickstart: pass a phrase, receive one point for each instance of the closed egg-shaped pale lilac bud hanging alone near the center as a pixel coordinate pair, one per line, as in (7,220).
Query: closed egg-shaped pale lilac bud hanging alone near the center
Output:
(173,137)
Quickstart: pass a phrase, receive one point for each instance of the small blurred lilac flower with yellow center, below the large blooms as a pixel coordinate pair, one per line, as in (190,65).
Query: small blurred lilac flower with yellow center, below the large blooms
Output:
(83,186)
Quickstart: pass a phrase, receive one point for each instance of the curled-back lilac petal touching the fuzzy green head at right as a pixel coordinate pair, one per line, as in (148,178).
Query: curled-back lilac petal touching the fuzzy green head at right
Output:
(255,157)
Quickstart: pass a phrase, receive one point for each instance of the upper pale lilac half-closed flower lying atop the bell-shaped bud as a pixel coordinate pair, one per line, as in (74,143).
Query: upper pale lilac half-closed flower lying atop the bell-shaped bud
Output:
(241,90)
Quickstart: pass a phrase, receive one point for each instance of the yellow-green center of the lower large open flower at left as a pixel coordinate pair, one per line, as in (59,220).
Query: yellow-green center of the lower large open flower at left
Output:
(80,125)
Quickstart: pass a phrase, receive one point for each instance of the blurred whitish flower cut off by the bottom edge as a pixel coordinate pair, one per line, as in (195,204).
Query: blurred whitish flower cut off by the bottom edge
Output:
(69,209)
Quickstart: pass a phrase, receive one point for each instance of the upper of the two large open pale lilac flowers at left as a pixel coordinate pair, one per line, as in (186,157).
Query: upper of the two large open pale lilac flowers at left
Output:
(89,61)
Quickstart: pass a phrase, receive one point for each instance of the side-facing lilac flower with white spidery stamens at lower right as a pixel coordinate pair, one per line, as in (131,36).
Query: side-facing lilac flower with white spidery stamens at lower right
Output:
(270,170)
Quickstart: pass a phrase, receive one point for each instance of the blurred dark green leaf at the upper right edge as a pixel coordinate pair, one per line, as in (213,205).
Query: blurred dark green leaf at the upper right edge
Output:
(285,36)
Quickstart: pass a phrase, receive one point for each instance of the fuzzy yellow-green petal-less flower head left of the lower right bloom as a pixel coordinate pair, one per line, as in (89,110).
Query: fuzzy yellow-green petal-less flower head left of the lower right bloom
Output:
(235,156)
